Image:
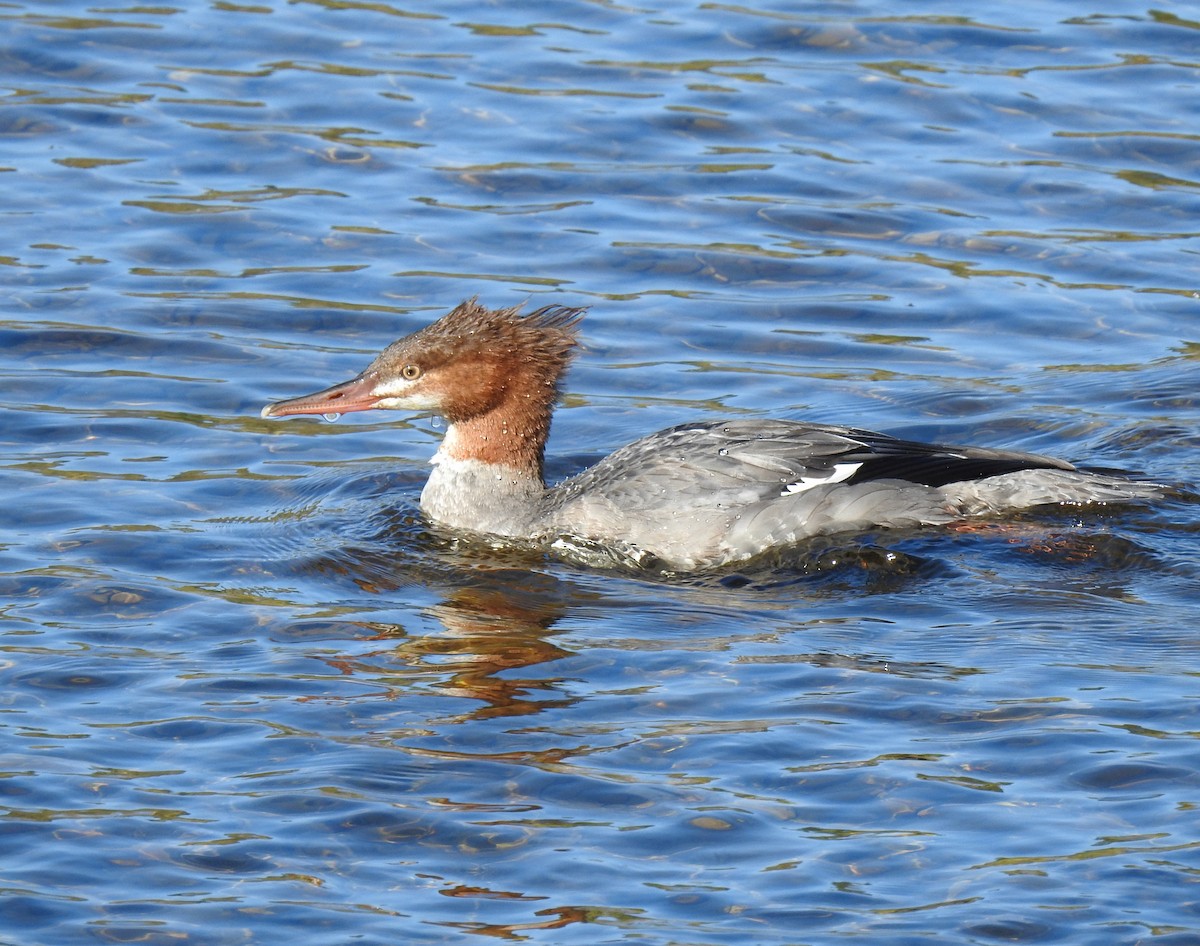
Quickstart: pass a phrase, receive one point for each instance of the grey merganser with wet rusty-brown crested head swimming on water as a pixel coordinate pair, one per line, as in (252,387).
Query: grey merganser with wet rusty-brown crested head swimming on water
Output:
(695,496)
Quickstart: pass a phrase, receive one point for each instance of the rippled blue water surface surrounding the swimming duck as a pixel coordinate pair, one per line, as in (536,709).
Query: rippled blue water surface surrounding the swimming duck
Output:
(251,697)
